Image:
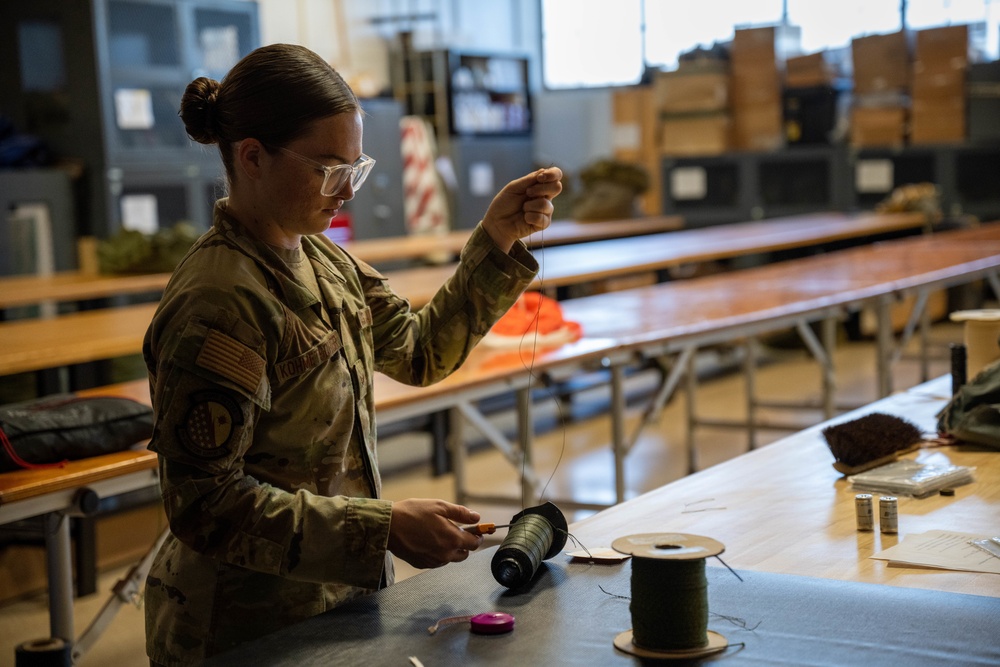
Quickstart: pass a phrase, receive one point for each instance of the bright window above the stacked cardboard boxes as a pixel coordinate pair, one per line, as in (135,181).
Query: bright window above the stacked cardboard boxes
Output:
(593,43)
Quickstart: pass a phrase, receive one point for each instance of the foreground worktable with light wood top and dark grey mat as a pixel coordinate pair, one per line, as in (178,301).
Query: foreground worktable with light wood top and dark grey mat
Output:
(808,591)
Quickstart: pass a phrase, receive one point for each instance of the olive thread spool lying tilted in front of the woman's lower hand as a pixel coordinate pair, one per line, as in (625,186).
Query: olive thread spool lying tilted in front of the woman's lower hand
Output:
(536,534)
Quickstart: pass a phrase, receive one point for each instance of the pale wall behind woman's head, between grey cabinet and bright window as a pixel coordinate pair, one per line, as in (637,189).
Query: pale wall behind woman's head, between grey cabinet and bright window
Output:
(572,128)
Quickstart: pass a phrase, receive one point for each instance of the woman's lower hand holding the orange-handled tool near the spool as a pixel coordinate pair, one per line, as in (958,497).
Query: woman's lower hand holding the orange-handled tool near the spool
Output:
(423,532)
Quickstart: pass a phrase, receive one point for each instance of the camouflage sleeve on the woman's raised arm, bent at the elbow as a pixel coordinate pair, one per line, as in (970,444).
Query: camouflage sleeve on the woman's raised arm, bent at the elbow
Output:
(423,346)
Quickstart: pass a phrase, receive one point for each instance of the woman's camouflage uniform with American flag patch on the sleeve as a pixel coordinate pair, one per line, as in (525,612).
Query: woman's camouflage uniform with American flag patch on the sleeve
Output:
(265,426)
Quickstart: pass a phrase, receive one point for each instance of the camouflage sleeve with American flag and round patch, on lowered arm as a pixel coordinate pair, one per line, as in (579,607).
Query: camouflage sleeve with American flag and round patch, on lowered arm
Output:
(210,387)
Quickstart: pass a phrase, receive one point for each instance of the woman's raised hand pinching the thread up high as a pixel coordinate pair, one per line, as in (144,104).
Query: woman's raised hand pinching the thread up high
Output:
(523,207)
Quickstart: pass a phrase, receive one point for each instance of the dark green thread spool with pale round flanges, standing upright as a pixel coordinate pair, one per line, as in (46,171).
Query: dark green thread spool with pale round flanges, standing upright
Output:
(669,604)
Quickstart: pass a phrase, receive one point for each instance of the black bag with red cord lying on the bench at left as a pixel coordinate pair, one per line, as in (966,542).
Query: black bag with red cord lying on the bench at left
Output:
(49,431)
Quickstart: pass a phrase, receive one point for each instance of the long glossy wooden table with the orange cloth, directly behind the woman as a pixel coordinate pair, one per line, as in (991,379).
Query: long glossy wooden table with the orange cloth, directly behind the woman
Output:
(667,318)
